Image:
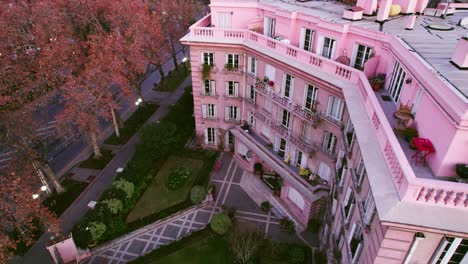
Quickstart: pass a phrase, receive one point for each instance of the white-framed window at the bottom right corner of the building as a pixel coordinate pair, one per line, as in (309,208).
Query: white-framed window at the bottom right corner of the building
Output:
(451,250)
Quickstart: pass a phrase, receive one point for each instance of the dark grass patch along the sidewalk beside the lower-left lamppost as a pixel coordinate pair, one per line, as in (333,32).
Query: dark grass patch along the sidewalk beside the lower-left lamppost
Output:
(58,203)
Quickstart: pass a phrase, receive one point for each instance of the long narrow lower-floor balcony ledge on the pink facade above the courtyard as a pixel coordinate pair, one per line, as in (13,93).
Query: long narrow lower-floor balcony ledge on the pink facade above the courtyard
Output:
(290,173)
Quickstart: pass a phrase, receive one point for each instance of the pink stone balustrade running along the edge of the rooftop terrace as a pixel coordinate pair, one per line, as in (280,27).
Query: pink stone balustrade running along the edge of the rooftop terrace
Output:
(406,183)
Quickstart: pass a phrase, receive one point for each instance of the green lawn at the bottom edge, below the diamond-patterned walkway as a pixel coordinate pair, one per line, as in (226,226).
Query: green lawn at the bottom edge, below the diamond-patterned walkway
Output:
(210,250)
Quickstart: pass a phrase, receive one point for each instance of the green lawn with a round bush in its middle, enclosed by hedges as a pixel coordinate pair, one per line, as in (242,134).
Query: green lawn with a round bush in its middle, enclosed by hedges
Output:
(157,197)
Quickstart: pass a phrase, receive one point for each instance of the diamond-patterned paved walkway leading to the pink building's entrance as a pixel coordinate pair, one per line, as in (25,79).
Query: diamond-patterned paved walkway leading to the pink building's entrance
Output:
(229,193)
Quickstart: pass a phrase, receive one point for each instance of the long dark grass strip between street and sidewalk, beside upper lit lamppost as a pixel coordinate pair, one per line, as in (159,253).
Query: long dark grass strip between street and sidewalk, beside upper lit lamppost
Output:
(133,124)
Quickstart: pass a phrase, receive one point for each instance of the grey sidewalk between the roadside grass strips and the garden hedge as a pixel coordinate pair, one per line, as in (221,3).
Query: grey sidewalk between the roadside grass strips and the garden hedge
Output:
(38,253)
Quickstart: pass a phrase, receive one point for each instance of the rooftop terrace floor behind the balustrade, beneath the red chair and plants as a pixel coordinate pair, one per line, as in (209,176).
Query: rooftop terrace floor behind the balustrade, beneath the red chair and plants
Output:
(389,107)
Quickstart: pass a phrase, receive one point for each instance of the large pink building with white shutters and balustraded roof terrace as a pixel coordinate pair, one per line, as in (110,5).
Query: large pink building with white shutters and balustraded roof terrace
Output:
(286,84)
